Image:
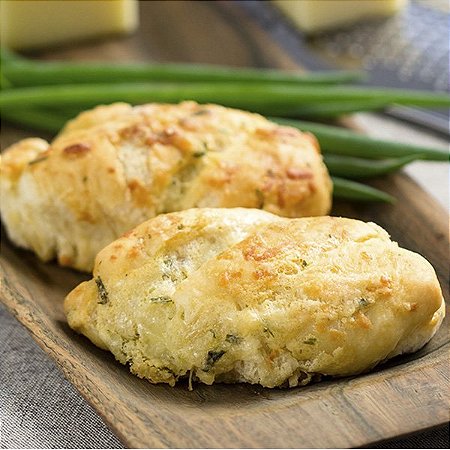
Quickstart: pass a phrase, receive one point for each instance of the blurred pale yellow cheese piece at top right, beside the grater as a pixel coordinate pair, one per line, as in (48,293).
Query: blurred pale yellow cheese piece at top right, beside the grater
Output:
(312,16)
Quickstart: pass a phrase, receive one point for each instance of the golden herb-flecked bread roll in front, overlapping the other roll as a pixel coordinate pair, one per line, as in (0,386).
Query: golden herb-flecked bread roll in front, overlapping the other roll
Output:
(241,295)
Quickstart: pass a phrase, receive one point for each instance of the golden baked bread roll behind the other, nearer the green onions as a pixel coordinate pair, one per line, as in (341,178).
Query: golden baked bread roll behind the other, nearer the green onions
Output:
(115,166)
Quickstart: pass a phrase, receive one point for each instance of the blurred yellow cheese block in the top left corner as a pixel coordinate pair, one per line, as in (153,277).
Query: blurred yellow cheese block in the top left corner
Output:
(28,24)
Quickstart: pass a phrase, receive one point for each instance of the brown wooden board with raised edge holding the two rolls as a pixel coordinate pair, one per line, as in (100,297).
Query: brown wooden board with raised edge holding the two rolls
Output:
(408,394)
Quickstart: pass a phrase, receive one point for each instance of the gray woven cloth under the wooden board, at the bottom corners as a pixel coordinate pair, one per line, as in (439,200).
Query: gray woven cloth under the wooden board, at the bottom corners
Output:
(40,409)
